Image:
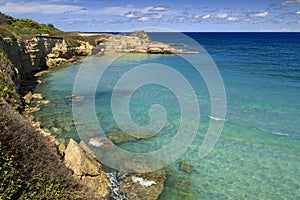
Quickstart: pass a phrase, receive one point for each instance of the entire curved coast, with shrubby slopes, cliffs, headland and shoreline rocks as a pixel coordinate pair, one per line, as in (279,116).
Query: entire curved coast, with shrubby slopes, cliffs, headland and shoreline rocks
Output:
(28,153)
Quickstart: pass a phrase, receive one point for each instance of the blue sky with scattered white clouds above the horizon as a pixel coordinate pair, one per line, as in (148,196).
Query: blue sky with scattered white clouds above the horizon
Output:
(176,15)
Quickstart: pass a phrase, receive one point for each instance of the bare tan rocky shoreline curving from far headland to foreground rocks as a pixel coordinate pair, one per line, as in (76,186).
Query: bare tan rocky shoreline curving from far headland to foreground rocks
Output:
(33,57)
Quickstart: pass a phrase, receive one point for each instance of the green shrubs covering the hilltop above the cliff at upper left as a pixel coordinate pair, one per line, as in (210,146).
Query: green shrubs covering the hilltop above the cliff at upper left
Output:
(19,27)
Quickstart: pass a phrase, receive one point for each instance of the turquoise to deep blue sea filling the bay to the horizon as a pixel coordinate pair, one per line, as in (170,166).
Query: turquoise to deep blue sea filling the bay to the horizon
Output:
(256,154)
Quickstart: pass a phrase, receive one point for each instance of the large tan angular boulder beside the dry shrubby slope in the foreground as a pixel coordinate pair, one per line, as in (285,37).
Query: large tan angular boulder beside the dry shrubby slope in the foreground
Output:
(86,168)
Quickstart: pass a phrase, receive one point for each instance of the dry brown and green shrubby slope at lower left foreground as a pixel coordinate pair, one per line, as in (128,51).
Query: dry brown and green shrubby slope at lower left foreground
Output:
(30,166)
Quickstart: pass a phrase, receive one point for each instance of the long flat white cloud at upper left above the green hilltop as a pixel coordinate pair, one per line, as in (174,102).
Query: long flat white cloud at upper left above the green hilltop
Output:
(36,7)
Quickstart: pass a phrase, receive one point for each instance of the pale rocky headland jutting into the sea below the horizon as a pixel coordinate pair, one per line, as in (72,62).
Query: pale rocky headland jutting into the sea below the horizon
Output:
(138,42)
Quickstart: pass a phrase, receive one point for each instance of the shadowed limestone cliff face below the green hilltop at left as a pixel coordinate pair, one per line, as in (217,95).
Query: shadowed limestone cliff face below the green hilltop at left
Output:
(40,53)
